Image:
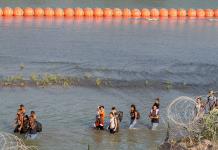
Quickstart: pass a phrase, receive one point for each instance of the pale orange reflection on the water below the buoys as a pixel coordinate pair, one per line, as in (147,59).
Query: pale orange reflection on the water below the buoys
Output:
(163,23)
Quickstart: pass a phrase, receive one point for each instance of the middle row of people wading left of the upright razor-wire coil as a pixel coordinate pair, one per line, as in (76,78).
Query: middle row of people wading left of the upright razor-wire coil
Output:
(117,116)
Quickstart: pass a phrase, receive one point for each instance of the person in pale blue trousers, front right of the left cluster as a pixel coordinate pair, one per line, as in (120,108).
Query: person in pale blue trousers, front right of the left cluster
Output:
(32,131)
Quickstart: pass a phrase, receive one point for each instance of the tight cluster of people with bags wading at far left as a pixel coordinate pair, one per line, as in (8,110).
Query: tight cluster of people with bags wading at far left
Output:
(25,124)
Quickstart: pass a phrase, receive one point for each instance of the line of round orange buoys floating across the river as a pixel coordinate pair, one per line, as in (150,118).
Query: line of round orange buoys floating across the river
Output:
(108,12)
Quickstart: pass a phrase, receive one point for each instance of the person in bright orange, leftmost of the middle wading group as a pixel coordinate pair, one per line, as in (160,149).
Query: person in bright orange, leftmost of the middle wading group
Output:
(99,123)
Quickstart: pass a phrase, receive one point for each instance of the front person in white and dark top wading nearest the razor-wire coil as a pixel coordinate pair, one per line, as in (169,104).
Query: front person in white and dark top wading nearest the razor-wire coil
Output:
(154,116)
